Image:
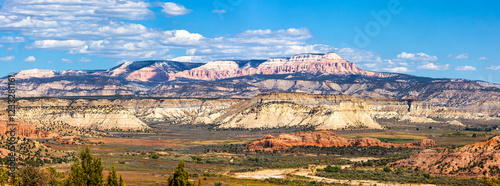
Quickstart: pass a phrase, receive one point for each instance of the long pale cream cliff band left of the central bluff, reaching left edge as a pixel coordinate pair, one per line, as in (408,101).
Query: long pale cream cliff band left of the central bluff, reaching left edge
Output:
(119,113)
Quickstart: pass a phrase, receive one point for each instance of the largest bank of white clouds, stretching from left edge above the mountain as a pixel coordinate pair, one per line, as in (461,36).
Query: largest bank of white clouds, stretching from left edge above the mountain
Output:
(94,27)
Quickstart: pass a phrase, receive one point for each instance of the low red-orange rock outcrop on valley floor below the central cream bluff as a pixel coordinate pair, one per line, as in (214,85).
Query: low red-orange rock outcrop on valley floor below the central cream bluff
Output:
(323,139)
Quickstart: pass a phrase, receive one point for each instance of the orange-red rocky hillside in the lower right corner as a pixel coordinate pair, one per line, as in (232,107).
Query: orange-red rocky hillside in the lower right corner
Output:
(475,160)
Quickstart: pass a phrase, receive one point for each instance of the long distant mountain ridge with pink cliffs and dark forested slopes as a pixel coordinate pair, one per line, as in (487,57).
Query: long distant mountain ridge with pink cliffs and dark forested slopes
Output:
(309,73)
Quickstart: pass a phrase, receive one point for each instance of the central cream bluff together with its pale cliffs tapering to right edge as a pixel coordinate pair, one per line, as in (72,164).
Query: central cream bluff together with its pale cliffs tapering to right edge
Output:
(336,112)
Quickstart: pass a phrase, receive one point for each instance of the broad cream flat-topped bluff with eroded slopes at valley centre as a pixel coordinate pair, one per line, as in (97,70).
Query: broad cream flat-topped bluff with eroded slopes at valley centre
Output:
(289,110)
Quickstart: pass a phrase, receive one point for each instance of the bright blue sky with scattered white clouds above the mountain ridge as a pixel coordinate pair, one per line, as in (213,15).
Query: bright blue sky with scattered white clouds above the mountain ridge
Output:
(450,39)
